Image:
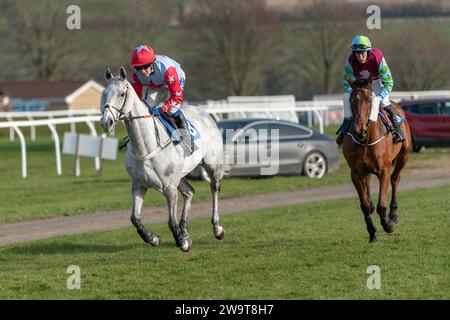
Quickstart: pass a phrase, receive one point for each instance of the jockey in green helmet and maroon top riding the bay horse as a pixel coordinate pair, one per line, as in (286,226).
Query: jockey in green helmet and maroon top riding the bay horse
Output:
(366,61)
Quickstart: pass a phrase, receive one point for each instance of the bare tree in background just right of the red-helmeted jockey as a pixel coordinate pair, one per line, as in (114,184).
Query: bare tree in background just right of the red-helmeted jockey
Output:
(235,45)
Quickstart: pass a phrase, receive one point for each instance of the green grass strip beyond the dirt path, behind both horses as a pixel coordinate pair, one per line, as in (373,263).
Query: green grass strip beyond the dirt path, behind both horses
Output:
(44,194)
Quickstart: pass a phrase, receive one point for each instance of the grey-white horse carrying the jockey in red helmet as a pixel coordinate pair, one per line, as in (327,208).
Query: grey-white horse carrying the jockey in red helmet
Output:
(153,161)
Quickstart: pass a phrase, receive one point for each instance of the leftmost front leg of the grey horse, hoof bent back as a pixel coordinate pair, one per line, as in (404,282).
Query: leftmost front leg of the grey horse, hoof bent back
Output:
(138,192)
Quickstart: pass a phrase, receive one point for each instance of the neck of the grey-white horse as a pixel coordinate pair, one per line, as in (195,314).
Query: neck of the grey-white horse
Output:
(141,131)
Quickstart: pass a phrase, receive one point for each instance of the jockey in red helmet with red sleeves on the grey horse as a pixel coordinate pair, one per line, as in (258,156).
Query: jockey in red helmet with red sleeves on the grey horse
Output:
(163,81)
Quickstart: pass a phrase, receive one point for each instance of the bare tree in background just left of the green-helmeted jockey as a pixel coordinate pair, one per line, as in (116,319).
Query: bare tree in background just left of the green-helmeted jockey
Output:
(321,46)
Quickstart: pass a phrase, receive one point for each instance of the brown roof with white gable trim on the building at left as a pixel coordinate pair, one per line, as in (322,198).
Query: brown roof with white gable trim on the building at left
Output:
(66,90)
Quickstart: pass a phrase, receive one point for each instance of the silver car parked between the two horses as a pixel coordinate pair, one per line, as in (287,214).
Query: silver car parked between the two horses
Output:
(258,147)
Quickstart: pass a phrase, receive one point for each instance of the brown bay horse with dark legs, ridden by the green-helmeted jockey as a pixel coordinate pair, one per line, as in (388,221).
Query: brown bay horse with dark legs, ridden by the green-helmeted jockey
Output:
(369,149)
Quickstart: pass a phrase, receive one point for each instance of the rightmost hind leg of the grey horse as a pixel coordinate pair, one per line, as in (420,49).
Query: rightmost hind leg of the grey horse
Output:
(215,174)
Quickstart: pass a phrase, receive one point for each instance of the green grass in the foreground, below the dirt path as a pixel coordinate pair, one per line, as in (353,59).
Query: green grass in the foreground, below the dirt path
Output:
(313,251)
